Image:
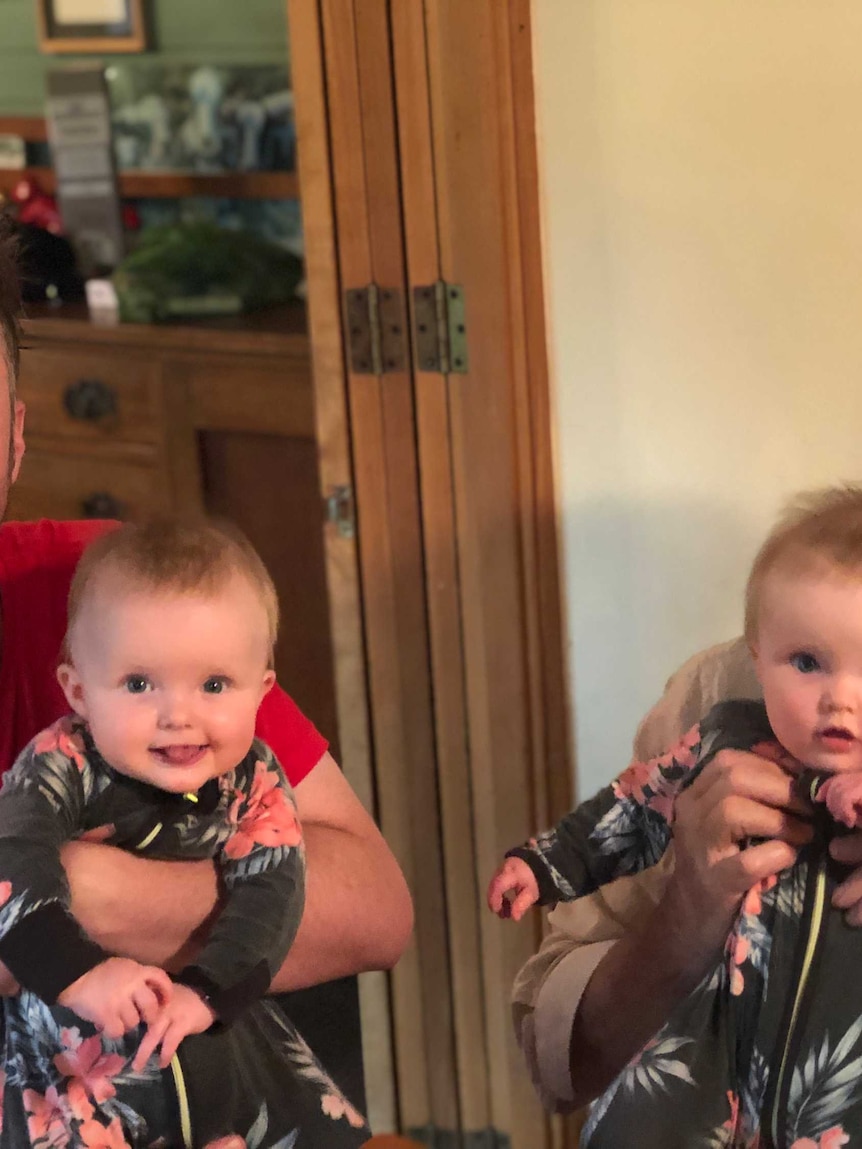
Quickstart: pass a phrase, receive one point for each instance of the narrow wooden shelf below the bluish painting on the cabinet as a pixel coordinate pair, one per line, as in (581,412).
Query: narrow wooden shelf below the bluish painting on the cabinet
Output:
(241,186)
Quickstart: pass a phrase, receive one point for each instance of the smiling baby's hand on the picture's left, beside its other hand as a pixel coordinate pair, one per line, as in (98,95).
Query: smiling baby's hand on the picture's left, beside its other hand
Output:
(119,994)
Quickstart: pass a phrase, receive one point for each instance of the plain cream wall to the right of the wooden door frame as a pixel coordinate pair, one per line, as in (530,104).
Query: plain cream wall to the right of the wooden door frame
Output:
(703,211)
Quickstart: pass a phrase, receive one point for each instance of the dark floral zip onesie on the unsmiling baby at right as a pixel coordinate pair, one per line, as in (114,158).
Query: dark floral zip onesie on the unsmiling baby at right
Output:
(767,1052)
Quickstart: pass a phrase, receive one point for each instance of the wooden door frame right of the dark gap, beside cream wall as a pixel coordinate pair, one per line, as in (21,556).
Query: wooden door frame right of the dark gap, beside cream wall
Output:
(471,210)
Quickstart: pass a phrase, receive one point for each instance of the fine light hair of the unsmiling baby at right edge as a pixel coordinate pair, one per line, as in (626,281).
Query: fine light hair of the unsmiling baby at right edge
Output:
(819,530)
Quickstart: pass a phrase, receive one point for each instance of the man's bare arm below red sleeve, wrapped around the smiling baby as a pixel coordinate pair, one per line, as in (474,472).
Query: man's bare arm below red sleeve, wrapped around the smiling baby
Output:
(358,912)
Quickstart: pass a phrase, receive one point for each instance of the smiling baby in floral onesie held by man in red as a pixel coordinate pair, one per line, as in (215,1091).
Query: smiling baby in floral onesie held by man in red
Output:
(168,656)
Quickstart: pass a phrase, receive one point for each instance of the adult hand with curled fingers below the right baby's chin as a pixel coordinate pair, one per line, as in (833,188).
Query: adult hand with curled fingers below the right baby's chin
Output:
(740,797)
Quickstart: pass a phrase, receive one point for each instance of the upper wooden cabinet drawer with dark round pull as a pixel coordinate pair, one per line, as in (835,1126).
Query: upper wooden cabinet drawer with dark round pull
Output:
(91,396)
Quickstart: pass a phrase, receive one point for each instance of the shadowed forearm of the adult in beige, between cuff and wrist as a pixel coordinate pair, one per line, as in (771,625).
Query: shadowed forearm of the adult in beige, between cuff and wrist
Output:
(633,993)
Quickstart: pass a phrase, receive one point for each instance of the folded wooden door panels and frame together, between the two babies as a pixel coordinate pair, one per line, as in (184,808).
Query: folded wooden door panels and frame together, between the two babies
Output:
(432,172)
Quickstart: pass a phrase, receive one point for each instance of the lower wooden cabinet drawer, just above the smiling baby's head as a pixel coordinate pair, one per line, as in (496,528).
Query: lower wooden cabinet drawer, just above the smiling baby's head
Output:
(58,485)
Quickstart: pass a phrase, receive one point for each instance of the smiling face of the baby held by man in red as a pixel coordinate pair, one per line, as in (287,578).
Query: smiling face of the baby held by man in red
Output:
(170,684)
